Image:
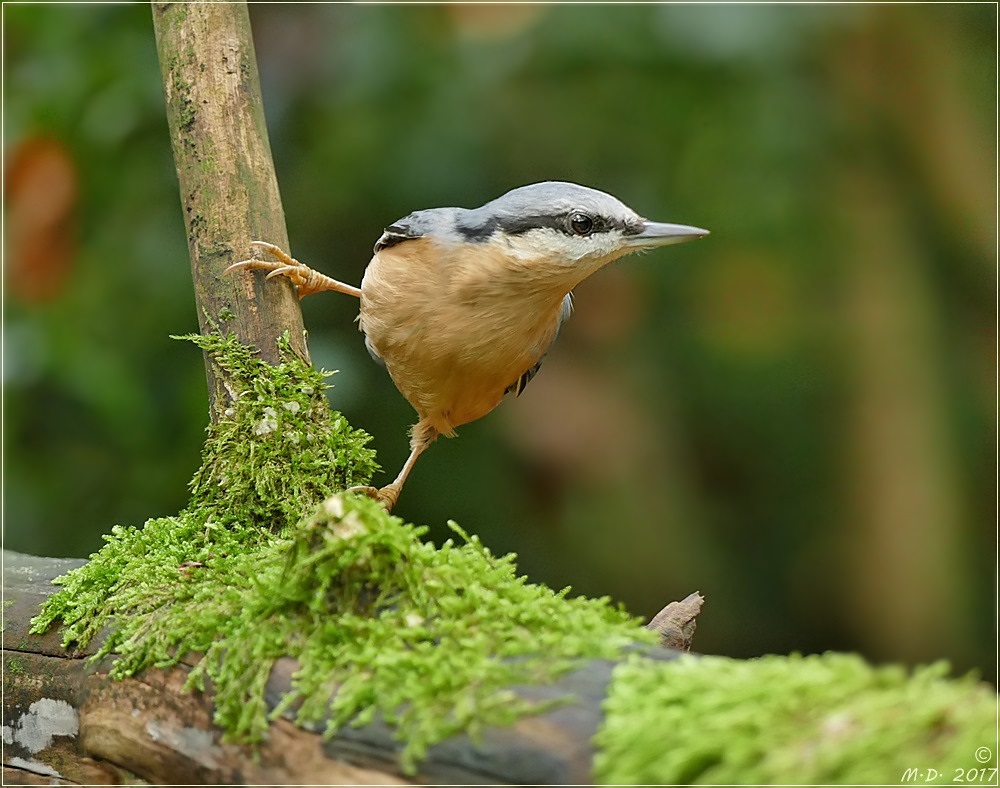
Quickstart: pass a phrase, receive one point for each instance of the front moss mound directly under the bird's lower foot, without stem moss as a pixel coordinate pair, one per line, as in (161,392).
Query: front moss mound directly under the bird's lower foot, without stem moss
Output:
(431,638)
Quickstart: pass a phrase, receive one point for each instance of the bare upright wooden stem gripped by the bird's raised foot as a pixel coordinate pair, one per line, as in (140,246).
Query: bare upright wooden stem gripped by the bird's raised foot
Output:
(229,191)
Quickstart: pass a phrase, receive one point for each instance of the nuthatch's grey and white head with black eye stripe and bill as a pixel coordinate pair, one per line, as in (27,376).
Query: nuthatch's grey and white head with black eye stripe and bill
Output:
(564,230)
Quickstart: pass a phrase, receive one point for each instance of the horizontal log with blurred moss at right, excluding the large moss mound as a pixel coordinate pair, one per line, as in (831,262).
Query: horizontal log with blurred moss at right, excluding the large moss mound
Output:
(647,718)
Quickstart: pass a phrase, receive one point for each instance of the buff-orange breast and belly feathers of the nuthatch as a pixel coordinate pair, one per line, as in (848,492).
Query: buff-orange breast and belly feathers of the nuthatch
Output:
(450,330)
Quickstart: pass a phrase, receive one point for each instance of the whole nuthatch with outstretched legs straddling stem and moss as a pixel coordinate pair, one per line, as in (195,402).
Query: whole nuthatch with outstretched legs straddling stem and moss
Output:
(461,305)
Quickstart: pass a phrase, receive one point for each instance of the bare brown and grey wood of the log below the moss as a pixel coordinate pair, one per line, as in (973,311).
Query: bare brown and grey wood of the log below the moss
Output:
(67,720)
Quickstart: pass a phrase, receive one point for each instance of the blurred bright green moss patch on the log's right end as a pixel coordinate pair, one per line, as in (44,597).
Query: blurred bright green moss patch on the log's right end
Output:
(815,720)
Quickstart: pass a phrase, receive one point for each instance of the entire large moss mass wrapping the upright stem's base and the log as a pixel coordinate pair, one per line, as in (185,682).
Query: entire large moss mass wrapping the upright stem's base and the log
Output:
(266,563)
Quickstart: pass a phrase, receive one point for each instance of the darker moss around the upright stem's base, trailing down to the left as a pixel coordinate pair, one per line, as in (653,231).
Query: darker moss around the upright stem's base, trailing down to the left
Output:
(276,452)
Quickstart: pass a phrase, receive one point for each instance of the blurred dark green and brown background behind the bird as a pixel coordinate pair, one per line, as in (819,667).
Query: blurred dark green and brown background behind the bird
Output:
(796,416)
